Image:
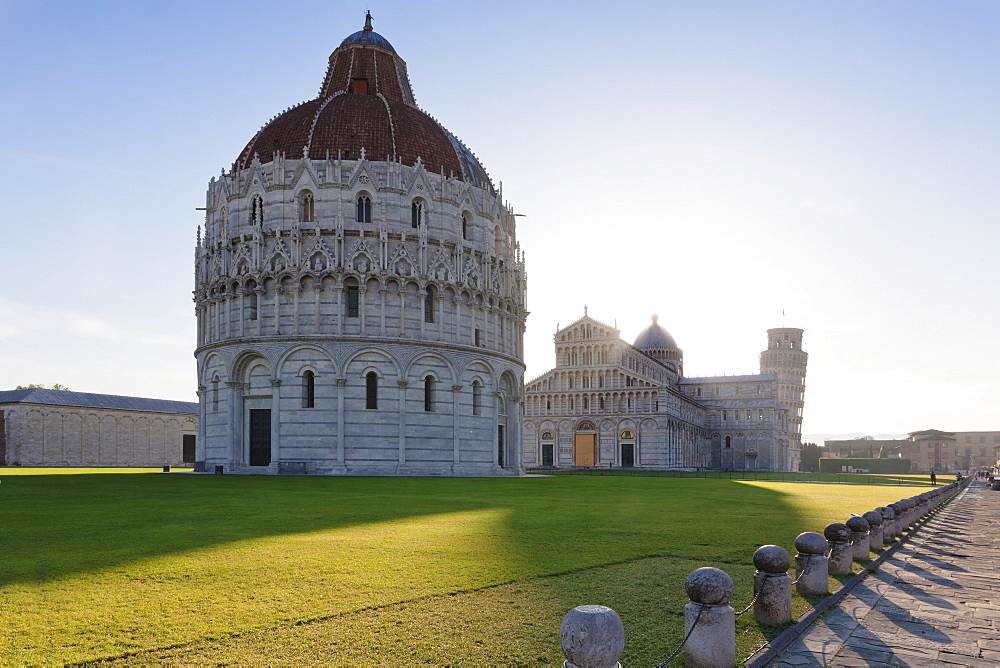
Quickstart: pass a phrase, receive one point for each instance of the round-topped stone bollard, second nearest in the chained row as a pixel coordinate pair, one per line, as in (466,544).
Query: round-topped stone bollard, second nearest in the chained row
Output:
(712,641)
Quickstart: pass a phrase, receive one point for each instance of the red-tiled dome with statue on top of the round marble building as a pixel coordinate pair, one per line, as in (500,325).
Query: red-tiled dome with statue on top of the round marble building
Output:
(365,108)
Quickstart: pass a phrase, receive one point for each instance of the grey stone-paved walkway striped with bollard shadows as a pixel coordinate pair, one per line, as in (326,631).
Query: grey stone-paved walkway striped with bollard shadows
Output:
(935,602)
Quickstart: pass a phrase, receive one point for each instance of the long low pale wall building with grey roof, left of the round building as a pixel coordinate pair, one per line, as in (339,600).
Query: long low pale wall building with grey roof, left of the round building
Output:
(41,427)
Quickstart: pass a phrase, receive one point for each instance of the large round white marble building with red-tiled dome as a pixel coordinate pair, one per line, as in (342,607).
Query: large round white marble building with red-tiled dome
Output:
(360,291)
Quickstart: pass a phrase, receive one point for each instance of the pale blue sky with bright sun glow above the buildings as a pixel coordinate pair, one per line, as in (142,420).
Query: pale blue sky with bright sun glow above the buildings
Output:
(716,163)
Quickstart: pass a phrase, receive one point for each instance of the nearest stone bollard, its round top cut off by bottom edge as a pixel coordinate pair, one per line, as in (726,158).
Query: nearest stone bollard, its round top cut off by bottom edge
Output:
(592,636)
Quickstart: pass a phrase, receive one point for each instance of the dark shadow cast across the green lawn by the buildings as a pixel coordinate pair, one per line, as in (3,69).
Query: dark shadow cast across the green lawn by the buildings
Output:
(623,542)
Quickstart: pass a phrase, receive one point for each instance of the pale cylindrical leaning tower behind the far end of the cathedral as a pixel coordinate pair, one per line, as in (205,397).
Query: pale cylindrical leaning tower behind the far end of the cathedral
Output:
(785,359)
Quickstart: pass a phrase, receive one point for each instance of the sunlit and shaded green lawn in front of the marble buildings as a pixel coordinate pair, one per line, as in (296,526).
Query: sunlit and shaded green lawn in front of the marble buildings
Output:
(180,568)
